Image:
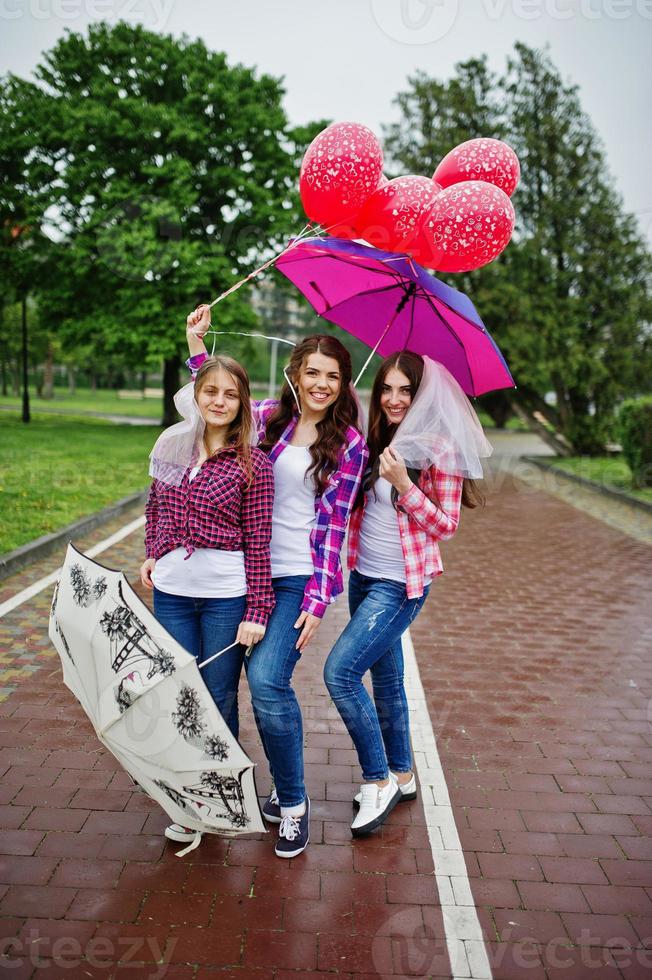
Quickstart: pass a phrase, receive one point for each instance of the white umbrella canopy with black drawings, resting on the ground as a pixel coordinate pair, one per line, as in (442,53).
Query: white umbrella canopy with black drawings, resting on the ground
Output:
(148,703)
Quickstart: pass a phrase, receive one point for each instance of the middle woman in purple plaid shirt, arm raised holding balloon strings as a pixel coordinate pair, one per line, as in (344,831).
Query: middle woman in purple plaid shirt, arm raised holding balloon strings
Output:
(318,457)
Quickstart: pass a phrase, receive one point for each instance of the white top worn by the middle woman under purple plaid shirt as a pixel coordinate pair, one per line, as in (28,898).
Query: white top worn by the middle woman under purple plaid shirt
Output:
(293,515)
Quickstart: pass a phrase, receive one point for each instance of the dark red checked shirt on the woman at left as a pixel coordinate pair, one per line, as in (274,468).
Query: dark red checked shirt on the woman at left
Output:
(216,510)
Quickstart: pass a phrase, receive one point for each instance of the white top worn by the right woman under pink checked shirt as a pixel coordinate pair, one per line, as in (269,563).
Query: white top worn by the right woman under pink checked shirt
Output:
(380,553)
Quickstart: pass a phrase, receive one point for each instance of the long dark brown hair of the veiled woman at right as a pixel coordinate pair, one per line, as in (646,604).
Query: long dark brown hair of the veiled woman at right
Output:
(380,431)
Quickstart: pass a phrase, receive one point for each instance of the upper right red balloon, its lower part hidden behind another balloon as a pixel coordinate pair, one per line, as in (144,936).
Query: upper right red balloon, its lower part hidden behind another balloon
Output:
(481,159)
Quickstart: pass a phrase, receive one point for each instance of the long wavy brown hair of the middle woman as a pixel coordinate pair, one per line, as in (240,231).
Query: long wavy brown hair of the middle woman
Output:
(331,430)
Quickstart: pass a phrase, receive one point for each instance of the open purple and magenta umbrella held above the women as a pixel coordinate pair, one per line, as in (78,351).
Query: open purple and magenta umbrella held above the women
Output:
(390,303)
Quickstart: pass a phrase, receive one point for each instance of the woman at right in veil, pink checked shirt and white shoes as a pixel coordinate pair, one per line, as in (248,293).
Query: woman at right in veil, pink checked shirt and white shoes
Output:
(399,517)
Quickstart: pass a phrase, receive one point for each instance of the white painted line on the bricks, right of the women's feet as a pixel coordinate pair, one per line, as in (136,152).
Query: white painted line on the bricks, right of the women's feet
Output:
(464,938)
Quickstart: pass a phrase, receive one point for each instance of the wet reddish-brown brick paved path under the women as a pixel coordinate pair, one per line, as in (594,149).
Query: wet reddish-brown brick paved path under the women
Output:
(534,651)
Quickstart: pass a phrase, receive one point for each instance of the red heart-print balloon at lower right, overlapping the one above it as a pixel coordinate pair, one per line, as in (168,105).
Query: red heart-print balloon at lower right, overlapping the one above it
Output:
(467,226)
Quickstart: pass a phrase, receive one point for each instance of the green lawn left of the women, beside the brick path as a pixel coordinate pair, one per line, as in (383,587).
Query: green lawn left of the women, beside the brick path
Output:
(57,469)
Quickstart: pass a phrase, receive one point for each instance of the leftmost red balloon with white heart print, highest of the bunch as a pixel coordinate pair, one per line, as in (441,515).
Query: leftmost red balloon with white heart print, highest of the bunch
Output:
(340,170)
